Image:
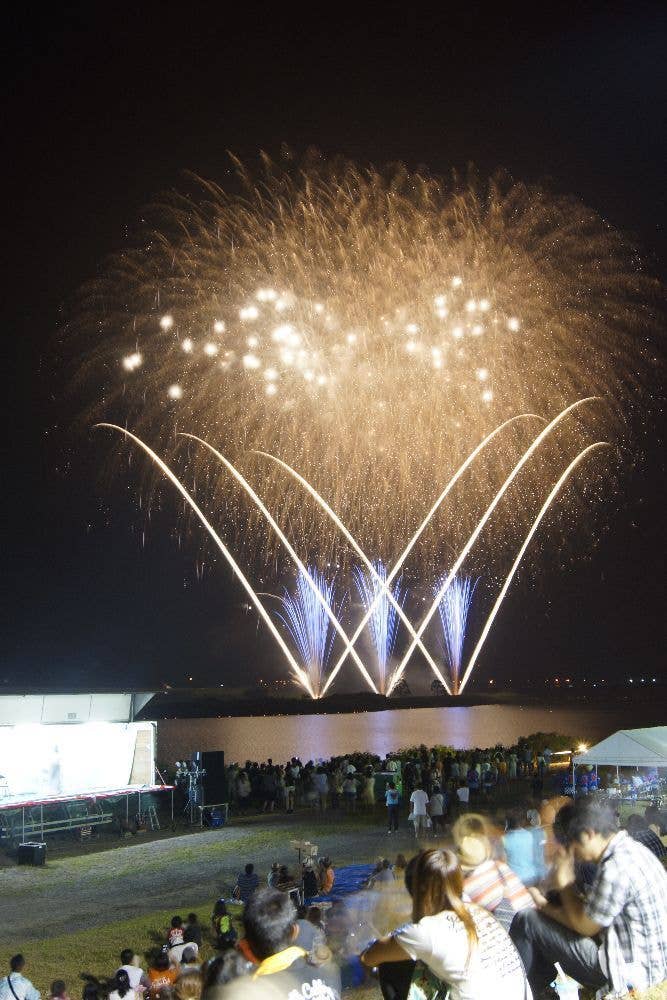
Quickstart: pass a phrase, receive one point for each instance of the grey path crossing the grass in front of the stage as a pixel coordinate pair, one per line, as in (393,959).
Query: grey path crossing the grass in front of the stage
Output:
(86,891)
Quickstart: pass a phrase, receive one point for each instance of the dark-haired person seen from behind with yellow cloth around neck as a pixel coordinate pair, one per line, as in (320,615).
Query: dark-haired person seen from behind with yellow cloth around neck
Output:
(284,970)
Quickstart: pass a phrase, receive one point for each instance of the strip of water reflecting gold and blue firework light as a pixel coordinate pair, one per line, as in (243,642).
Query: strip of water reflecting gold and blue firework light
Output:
(322,736)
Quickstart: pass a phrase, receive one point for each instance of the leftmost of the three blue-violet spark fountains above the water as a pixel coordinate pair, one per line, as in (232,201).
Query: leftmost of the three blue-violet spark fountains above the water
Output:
(308,623)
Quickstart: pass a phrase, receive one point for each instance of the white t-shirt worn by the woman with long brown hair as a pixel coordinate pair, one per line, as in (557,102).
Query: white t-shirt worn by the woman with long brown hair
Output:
(494,968)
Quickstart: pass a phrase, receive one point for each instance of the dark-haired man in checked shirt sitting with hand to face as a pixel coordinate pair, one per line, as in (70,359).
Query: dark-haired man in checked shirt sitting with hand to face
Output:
(615,936)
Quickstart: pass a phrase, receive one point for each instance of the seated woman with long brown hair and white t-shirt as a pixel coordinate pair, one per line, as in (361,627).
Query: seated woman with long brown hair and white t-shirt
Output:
(462,945)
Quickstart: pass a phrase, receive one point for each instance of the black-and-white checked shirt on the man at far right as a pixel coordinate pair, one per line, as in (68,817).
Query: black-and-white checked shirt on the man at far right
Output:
(629,900)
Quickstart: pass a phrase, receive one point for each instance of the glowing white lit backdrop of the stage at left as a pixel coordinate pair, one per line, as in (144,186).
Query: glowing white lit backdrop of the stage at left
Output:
(37,761)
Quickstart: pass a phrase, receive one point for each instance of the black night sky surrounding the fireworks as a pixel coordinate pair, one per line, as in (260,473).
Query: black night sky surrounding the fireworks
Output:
(106,105)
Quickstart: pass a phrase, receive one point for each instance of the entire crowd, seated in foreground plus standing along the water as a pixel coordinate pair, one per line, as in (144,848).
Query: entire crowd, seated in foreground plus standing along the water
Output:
(486,911)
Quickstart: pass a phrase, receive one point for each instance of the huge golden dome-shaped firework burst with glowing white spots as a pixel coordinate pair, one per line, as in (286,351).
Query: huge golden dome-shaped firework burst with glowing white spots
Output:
(369,328)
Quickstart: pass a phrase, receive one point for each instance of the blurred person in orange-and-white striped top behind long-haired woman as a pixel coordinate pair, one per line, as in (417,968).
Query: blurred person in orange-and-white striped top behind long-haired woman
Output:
(491,883)
